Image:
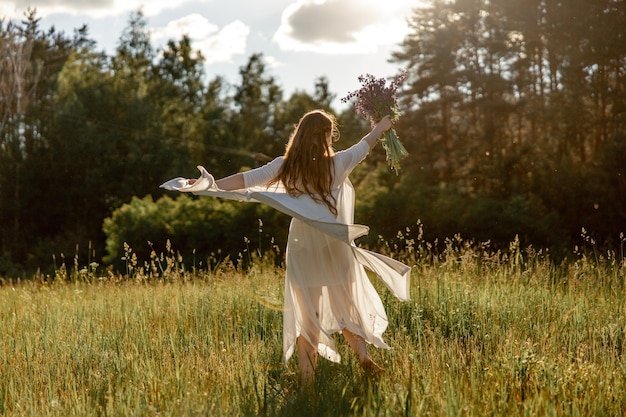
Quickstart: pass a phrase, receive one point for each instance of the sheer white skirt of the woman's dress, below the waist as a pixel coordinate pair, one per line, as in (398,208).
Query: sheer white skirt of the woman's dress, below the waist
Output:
(327,290)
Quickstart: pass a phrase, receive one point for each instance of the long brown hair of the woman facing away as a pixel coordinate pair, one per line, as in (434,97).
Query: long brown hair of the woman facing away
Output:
(308,164)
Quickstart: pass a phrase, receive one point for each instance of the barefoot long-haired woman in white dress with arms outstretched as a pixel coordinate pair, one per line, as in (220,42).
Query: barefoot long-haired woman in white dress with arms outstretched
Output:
(326,287)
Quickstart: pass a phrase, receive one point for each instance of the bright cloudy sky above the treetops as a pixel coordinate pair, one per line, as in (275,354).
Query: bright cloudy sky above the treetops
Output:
(300,40)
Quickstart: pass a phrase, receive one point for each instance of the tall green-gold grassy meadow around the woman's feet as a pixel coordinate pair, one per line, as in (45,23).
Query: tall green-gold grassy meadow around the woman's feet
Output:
(486,333)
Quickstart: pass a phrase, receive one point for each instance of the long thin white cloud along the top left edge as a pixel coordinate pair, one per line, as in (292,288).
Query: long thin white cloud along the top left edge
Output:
(92,8)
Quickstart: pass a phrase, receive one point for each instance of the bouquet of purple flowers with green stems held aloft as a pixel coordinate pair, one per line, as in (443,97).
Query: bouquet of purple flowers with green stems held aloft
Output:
(374,100)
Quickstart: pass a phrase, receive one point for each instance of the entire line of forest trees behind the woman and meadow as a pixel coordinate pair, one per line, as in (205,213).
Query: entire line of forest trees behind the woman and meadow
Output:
(514,115)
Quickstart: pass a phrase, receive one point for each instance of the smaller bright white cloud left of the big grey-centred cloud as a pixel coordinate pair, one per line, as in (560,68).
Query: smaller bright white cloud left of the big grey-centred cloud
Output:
(216,45)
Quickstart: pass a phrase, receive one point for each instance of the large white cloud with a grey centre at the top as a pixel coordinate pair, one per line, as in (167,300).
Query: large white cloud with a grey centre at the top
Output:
(342,26)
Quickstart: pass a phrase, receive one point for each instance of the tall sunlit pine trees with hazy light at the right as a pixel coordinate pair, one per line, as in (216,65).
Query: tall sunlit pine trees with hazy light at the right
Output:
(517,110)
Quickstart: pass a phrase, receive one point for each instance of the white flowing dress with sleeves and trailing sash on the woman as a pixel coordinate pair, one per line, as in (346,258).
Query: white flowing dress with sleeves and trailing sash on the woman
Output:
(326,286)
